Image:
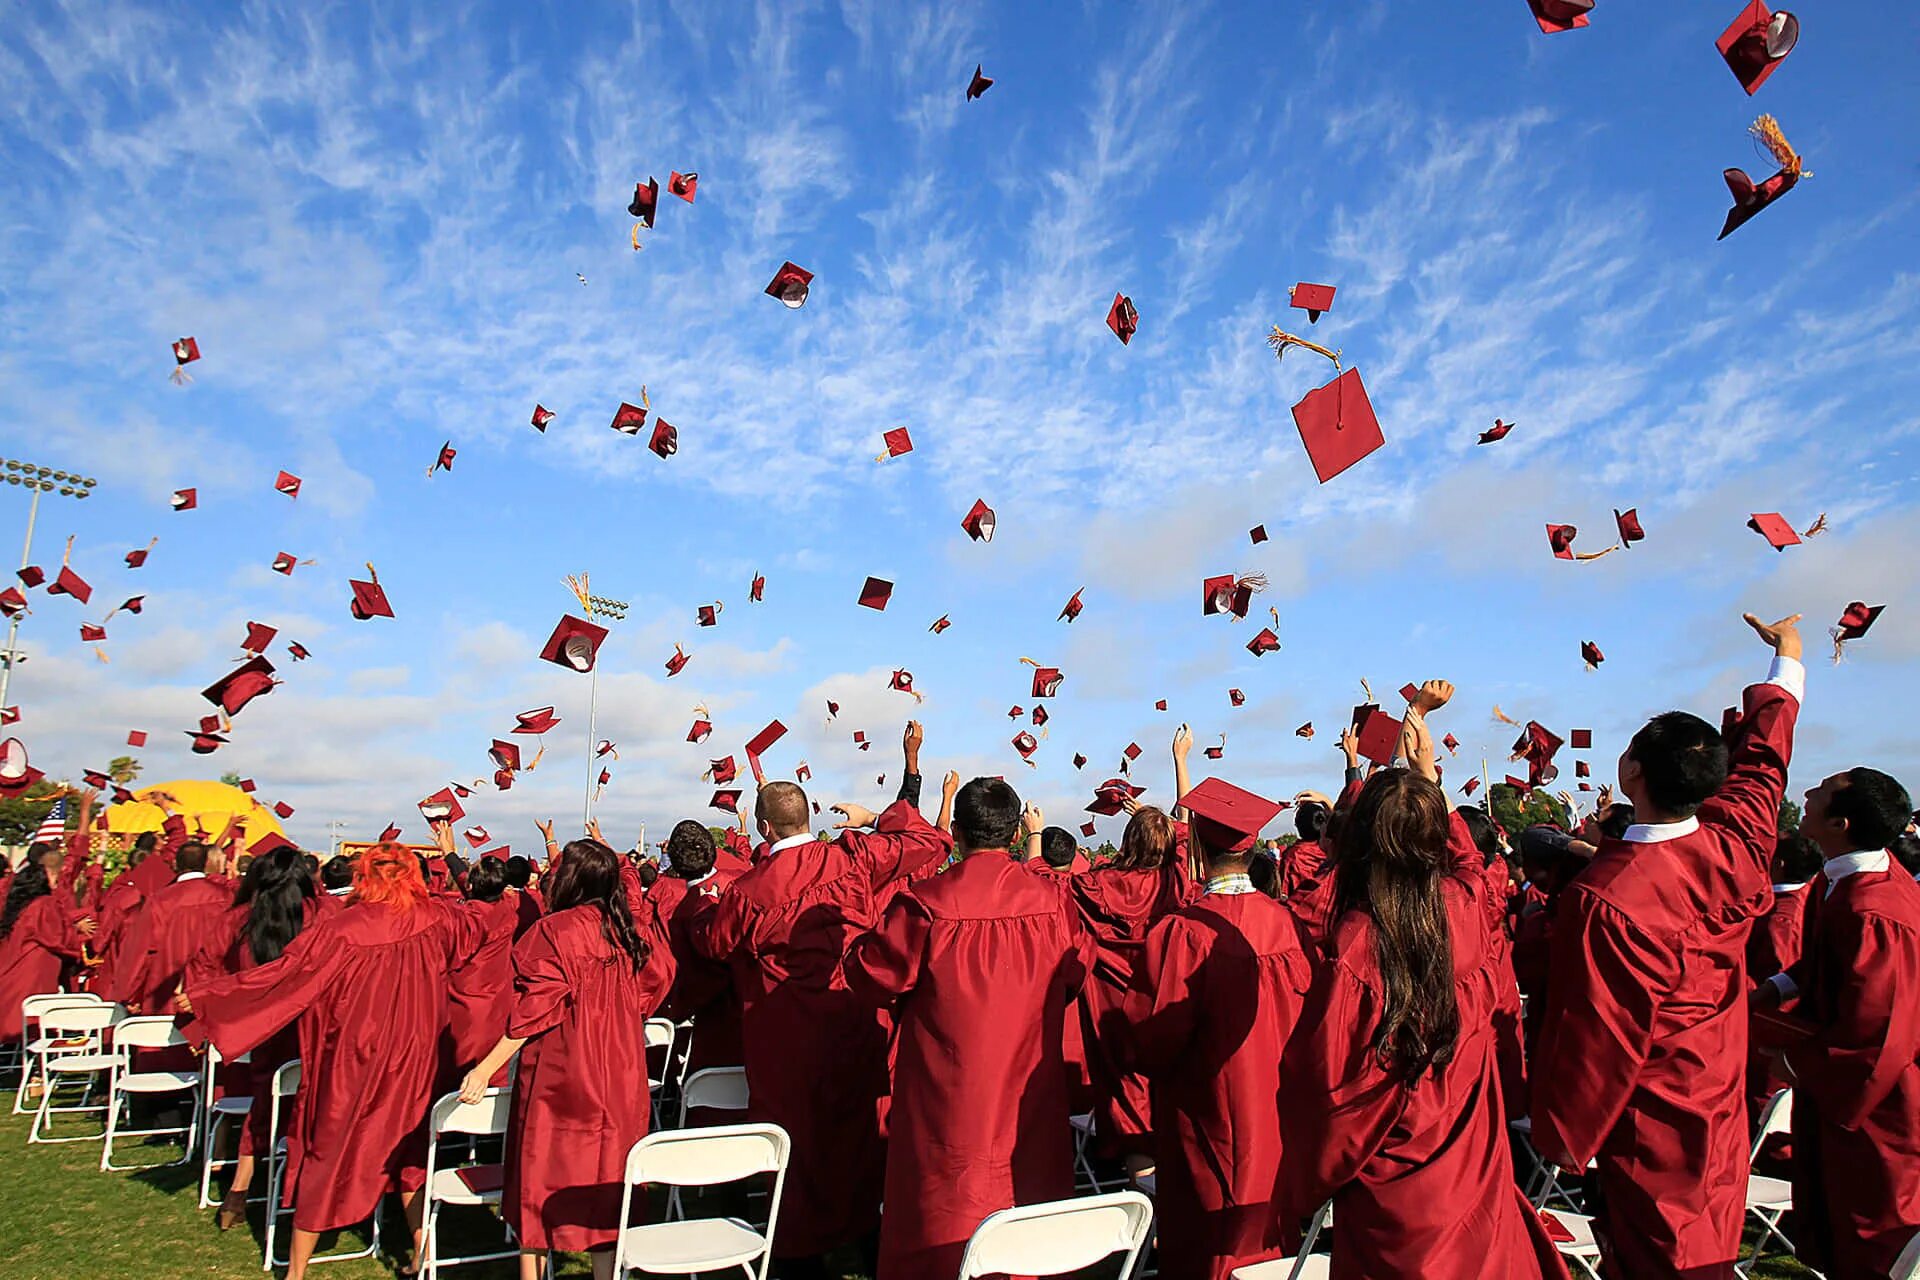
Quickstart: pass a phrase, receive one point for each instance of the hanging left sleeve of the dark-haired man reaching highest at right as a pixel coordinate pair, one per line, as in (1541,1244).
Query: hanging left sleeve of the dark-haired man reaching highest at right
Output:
(1598,1026)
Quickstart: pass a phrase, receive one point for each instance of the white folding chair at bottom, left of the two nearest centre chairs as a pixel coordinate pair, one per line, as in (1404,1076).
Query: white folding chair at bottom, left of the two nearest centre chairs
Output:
(702,1158)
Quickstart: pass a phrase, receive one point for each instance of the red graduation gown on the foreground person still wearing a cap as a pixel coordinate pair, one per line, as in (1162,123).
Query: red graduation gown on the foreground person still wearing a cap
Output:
(1226,980)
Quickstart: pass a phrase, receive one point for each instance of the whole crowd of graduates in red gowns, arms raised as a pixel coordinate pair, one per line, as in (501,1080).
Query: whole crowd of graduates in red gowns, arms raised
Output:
(1366,1016)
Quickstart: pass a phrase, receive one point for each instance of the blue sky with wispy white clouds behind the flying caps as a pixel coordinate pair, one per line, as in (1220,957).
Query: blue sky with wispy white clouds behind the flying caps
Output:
(373,222)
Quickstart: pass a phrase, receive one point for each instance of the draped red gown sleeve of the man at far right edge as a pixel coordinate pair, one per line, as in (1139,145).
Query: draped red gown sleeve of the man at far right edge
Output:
(1854,1062)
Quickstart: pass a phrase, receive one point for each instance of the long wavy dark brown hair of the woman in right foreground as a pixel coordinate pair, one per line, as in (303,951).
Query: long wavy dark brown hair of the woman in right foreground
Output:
(1393,859)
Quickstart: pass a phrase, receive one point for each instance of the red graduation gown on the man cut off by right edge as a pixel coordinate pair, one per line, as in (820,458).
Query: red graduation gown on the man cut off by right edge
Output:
(1858,1079)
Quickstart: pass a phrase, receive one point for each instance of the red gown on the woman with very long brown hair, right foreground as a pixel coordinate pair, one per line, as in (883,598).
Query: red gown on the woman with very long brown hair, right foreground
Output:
(1422,1175)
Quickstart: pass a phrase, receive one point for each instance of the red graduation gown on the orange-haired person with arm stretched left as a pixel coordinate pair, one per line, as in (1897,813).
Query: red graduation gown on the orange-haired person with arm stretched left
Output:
(370,987)
